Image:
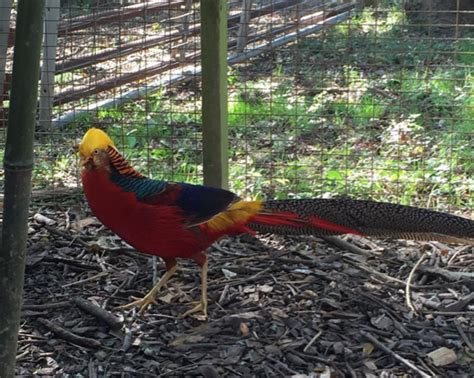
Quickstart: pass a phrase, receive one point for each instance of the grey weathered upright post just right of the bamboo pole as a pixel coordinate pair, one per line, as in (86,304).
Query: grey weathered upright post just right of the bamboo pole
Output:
(50,41)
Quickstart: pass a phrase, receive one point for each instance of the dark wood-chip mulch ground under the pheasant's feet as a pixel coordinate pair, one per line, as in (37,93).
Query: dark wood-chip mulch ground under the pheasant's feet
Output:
(278,306)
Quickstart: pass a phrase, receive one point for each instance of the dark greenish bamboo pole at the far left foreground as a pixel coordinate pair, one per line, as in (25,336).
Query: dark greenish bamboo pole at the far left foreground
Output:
(18,164)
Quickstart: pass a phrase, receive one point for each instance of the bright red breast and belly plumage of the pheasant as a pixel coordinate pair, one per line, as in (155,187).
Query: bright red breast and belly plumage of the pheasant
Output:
(154,229)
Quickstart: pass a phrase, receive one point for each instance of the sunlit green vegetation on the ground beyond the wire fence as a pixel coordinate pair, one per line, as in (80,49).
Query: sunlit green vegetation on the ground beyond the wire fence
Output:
(371,109)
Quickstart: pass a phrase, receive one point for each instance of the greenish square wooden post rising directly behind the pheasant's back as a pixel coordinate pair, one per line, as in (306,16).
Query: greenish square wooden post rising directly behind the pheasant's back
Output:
(214,92)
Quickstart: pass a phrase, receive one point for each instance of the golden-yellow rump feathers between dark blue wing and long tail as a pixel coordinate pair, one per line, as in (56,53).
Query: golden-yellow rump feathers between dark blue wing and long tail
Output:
(237,213)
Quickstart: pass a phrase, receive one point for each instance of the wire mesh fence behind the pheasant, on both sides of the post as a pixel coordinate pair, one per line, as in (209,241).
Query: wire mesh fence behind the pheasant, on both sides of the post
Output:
(326,98)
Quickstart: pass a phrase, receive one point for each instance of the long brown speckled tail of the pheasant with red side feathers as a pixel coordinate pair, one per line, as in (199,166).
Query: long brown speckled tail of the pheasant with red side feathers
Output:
(341,216)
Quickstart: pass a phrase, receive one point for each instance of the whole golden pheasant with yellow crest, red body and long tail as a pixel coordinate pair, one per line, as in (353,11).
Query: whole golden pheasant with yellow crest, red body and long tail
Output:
(178,220)
